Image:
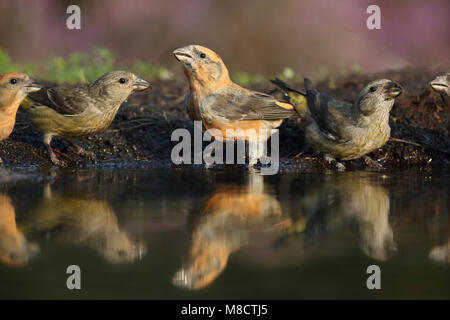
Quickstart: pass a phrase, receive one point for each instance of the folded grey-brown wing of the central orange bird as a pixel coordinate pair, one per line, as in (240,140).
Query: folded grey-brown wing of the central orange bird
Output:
(250,106)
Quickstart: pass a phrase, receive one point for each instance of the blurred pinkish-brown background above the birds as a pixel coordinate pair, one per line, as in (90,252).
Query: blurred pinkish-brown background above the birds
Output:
(259,36)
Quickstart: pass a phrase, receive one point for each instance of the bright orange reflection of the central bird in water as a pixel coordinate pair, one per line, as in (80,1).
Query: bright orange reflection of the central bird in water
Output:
(221,226)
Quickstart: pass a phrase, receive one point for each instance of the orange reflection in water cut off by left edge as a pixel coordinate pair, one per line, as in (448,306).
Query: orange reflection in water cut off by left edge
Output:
(15,250)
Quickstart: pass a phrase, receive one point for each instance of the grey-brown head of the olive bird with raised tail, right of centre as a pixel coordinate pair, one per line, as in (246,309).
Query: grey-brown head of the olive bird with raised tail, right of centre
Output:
(378,95)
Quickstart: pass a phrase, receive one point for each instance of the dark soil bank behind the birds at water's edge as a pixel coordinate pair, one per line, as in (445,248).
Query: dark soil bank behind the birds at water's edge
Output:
(140,134)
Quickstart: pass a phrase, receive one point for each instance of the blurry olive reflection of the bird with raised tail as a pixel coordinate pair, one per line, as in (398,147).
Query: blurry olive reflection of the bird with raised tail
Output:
(350,201)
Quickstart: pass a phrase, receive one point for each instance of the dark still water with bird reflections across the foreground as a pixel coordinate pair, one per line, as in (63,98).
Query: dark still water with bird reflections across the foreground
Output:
(226,234)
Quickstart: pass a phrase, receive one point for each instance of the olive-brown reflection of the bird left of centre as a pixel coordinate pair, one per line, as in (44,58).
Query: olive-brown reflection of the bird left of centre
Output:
(91,223)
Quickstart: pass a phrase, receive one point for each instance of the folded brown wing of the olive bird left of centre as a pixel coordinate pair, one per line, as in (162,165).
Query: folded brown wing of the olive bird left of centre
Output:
(64,100)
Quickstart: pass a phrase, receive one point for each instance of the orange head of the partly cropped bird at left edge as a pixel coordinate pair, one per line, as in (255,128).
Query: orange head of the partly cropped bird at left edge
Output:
(14,86)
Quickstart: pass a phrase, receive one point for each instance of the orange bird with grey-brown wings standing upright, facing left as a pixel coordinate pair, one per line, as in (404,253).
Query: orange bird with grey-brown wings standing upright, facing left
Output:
(221,104)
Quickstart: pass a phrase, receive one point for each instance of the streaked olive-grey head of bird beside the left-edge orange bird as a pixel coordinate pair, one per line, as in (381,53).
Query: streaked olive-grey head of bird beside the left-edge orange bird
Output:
(118,85)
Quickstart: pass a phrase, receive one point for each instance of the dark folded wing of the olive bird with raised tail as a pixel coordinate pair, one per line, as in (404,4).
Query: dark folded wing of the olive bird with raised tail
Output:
(329,114)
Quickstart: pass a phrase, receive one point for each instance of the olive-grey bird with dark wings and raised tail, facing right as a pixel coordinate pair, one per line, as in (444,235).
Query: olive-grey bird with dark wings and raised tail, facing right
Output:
(344,130)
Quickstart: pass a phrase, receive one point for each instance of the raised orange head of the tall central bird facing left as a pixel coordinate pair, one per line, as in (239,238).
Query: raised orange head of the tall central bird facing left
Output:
(202,65)
